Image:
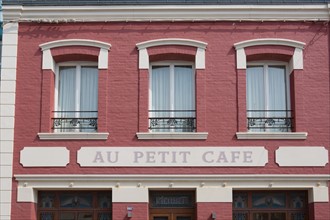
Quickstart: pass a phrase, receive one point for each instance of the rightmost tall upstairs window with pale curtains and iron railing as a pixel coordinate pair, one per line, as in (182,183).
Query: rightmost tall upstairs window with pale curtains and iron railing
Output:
(268,98)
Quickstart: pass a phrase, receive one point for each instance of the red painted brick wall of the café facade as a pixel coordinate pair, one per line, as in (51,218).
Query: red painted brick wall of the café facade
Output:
(124,94)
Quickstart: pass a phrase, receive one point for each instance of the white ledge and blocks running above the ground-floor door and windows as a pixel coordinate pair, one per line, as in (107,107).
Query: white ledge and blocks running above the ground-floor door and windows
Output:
(29,184)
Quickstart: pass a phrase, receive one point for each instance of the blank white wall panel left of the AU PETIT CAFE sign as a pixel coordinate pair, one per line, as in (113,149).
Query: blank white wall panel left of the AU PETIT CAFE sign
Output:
(44,157)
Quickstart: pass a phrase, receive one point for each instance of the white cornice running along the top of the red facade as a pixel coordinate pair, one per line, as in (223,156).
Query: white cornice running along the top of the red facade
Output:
(167,13)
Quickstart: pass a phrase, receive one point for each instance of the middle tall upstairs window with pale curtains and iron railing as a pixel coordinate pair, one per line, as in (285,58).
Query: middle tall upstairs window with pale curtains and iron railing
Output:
(172,98)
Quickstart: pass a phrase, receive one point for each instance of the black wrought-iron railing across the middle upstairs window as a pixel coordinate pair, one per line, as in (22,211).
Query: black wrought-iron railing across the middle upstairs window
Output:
(172,120)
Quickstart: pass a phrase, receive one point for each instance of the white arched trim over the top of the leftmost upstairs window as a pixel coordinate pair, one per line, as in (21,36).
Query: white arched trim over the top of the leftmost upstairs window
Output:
(49,63)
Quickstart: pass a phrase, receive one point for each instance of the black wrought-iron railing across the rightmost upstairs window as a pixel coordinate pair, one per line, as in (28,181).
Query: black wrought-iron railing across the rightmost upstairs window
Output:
(270,120)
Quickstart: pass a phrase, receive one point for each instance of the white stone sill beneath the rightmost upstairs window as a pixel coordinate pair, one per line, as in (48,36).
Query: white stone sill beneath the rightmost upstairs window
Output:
(272,135)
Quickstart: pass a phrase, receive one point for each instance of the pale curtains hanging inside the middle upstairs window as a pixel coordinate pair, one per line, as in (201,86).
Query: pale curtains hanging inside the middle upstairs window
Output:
(173,93)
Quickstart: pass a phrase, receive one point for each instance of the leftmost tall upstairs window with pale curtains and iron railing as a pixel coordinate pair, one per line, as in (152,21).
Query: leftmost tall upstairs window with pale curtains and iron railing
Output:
(76,98)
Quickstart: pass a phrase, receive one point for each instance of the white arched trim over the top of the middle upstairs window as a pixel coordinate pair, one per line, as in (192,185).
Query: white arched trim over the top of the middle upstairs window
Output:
(144,56)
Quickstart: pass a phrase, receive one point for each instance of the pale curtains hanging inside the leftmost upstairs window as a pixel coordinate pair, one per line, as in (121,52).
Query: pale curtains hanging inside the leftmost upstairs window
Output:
(78,92)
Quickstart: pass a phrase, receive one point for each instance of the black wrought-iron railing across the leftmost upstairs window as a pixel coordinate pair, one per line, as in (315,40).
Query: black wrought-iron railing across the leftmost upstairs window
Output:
(75,121)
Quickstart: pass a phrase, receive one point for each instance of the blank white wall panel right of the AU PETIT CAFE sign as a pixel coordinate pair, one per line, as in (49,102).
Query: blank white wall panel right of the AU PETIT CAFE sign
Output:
(306,156)
